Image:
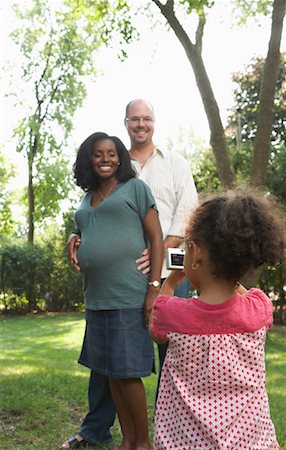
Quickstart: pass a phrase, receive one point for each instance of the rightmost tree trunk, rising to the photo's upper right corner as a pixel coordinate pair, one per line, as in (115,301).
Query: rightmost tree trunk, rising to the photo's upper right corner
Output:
(267,94)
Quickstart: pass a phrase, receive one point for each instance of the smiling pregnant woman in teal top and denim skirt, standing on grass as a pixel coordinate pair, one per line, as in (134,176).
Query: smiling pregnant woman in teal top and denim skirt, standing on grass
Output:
(116,215)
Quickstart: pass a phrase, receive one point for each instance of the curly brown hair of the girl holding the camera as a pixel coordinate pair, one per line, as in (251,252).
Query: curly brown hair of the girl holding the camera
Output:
(241,230)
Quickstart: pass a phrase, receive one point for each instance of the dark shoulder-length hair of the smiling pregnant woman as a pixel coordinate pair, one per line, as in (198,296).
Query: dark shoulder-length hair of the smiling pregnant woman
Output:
(83,173)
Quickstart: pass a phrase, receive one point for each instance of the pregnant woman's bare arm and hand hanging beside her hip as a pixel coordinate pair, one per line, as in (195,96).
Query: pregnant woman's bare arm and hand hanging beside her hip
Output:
(154,233)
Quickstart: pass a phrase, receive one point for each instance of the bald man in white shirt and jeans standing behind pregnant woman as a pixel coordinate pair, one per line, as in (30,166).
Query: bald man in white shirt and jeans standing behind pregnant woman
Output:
(168,175)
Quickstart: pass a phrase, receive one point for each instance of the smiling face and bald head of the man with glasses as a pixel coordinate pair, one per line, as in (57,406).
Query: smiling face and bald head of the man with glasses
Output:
(140,123)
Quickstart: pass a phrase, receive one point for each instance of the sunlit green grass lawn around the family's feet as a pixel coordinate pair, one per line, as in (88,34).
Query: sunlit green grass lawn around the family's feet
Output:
(43,391)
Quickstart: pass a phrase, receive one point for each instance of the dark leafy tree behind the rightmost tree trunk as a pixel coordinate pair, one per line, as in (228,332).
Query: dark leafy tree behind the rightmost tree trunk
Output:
(244,116)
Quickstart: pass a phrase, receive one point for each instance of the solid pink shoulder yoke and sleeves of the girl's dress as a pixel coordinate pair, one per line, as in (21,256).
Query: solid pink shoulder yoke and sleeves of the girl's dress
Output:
(242,313)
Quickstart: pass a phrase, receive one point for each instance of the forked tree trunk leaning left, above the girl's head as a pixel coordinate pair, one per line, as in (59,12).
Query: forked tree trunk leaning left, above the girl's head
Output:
(193,51)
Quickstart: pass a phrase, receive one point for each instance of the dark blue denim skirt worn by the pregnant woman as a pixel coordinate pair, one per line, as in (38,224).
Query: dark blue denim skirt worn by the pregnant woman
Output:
(117,343)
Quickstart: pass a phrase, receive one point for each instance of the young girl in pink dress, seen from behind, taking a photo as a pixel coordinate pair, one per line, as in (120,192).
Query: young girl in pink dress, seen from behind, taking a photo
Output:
(212,394)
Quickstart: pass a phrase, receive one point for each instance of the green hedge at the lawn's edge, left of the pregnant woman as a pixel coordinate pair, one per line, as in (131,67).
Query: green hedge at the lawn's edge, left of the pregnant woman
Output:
(40,277)
